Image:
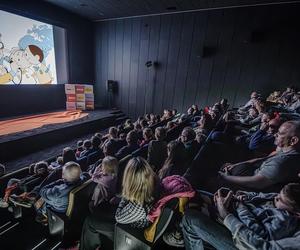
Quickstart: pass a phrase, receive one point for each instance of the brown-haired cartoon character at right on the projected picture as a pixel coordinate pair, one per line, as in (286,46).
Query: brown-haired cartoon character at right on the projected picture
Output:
(35,56)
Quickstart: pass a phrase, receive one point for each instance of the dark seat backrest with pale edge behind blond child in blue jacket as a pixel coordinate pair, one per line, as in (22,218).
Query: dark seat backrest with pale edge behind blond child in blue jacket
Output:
(79,199)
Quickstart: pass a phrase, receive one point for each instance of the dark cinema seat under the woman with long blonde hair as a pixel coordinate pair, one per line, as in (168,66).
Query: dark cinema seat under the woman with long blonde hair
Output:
(129,238)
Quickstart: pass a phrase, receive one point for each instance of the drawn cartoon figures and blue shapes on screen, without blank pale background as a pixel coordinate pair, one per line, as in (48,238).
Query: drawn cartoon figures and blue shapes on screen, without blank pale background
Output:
(27,62)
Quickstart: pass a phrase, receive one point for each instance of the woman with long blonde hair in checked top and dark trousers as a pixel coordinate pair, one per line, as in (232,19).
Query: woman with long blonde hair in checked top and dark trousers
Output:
(140,183)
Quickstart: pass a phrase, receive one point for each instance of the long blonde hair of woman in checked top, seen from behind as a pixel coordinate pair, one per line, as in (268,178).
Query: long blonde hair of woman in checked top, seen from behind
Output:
(139,181)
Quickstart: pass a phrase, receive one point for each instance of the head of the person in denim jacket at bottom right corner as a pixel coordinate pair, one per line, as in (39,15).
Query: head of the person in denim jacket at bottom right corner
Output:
(289,198)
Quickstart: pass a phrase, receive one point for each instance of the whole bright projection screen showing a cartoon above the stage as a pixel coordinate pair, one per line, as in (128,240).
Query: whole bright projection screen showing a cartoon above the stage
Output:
(27,53)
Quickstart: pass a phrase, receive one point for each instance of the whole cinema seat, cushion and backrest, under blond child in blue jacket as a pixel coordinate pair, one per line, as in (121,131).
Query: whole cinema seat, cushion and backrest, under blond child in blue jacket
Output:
(77,210)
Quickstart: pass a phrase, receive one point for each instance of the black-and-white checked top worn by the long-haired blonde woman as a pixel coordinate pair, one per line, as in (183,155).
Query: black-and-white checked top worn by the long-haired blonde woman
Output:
(133,214)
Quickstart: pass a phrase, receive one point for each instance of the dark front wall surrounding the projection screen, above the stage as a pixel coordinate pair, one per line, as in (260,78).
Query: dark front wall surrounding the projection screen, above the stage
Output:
(22,99)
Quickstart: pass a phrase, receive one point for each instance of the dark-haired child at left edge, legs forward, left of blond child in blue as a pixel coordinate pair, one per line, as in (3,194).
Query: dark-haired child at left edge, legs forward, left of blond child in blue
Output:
(16,190)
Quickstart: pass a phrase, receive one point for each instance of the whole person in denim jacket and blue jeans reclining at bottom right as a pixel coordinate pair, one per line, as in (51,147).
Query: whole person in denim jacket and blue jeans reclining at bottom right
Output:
(260,221)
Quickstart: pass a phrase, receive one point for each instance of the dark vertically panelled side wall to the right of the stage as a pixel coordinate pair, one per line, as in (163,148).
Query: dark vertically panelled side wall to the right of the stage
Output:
(201,57)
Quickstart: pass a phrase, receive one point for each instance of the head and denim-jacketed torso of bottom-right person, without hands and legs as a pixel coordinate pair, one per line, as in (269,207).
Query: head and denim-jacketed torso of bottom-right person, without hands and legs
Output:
(272,216)
